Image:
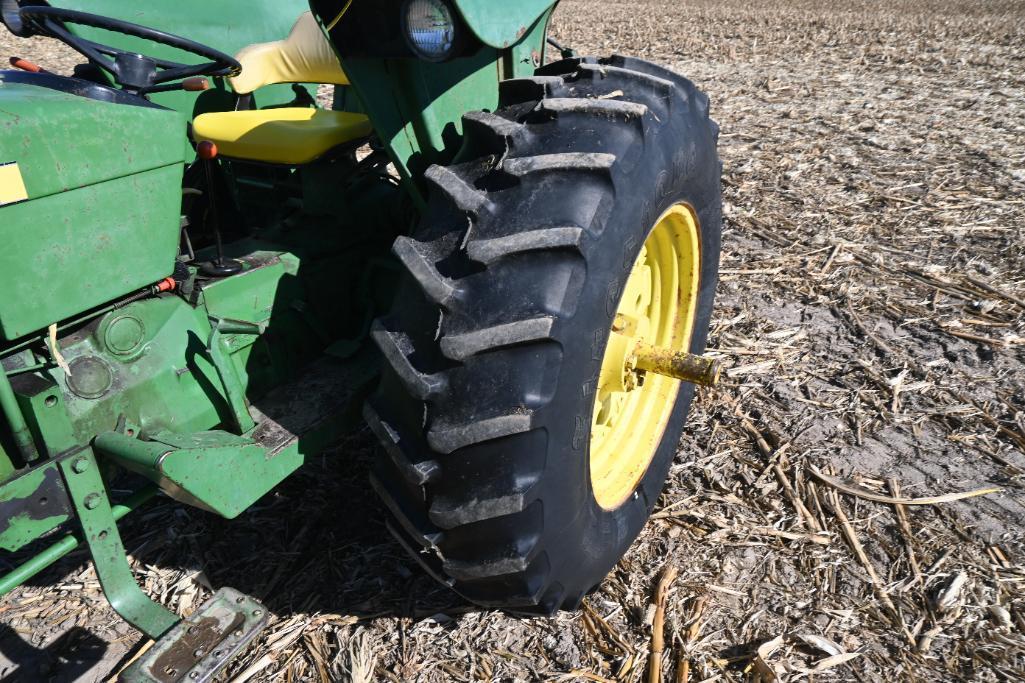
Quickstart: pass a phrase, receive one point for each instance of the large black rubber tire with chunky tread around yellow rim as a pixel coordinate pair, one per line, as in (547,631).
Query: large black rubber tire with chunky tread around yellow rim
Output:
(495,345)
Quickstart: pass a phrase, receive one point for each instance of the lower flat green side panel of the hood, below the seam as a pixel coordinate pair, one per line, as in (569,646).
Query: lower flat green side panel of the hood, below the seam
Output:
(74,251)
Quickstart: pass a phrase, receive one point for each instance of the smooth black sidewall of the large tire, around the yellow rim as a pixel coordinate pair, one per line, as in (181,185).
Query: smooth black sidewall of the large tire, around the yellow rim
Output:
(584,540)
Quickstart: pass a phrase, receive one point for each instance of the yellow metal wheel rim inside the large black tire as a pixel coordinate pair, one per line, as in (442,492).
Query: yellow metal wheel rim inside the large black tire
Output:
(659,307)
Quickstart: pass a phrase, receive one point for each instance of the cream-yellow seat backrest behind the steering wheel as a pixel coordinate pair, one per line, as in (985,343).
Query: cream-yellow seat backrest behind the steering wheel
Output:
(305,57)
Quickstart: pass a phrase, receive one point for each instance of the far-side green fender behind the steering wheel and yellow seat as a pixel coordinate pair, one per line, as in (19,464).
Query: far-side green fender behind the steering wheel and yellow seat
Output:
(225,25)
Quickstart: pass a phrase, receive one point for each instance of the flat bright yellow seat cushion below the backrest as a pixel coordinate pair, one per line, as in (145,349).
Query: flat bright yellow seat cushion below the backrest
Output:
(290,136)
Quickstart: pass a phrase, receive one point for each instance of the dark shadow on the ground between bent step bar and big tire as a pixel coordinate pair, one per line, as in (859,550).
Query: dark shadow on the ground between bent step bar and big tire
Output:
(318,544)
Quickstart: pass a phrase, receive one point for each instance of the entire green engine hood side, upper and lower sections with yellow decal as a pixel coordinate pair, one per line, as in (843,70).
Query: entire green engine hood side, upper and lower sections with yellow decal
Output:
(92,196)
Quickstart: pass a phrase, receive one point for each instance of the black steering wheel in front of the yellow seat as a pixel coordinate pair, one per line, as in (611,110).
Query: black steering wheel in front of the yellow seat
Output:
(132,71)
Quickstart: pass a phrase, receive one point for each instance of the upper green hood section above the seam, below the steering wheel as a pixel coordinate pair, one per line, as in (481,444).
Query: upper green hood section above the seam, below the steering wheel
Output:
(62,142)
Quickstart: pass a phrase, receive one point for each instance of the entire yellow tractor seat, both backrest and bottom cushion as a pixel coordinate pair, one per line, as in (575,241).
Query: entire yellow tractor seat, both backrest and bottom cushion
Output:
(291,136)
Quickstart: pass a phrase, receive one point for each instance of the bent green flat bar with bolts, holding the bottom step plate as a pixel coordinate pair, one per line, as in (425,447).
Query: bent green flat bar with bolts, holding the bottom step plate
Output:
(89,496)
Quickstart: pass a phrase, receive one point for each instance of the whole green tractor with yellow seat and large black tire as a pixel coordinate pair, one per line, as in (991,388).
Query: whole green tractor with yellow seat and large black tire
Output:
(504,267)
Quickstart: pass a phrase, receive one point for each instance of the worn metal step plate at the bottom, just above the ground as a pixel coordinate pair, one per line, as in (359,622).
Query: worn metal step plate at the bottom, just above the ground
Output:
(198,648)
